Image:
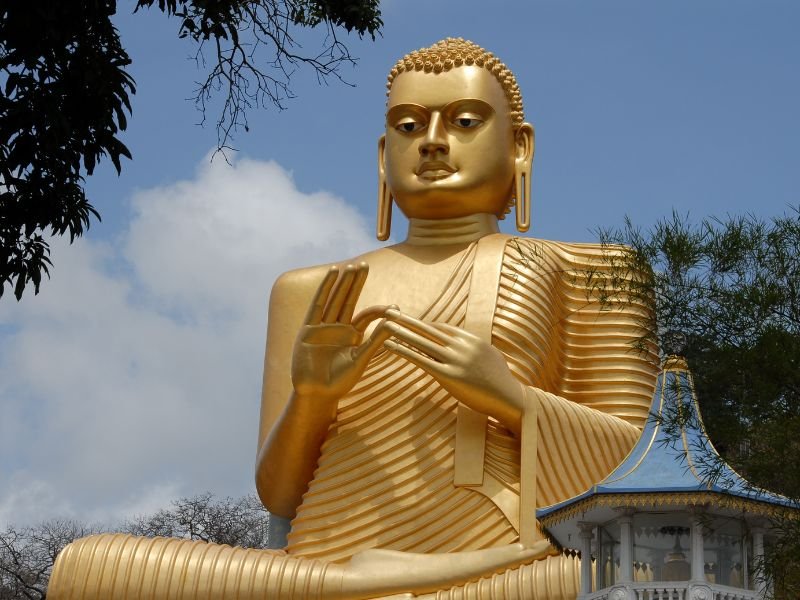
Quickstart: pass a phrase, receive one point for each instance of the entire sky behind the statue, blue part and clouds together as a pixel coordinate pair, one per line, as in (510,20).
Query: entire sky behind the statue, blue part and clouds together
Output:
(134,376)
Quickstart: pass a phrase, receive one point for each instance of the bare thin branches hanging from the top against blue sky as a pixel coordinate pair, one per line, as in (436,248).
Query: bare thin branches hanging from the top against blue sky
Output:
(250,48)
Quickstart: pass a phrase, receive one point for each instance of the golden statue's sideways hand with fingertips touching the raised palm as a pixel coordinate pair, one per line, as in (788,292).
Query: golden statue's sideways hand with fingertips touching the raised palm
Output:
(474,372)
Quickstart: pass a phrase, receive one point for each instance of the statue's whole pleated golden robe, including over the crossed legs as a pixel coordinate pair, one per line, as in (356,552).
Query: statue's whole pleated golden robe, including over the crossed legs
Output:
(386,473)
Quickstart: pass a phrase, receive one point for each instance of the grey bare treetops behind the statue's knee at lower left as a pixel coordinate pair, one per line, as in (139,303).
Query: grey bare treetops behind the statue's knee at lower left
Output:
(27,554)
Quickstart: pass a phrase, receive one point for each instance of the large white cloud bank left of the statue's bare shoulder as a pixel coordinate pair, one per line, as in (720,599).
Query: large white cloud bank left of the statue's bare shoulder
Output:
(134,376)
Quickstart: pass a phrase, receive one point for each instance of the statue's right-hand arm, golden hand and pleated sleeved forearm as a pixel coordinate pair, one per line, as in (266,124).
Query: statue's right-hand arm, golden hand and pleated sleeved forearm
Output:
(576,445)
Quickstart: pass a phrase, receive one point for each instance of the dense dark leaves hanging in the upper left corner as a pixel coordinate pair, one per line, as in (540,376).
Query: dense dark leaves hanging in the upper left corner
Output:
(63,105)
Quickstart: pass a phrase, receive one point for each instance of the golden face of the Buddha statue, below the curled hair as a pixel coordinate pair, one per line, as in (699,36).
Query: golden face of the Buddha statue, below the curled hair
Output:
(449,148)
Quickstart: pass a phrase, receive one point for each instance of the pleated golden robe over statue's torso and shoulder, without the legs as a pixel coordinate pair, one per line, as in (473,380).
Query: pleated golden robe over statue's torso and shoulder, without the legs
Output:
(385,474)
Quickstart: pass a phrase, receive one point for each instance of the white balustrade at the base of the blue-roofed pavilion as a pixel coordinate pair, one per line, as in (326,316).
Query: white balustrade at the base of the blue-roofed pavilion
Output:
(683,590)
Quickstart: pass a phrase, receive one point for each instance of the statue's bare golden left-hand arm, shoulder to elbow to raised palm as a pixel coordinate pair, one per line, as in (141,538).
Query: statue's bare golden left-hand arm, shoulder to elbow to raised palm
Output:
(328,355)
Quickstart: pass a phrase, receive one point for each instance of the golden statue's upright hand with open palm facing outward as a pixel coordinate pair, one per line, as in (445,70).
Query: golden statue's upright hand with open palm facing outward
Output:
(330,353)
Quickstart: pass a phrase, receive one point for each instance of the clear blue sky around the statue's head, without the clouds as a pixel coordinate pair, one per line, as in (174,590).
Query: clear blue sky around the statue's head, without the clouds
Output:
(639,107)
